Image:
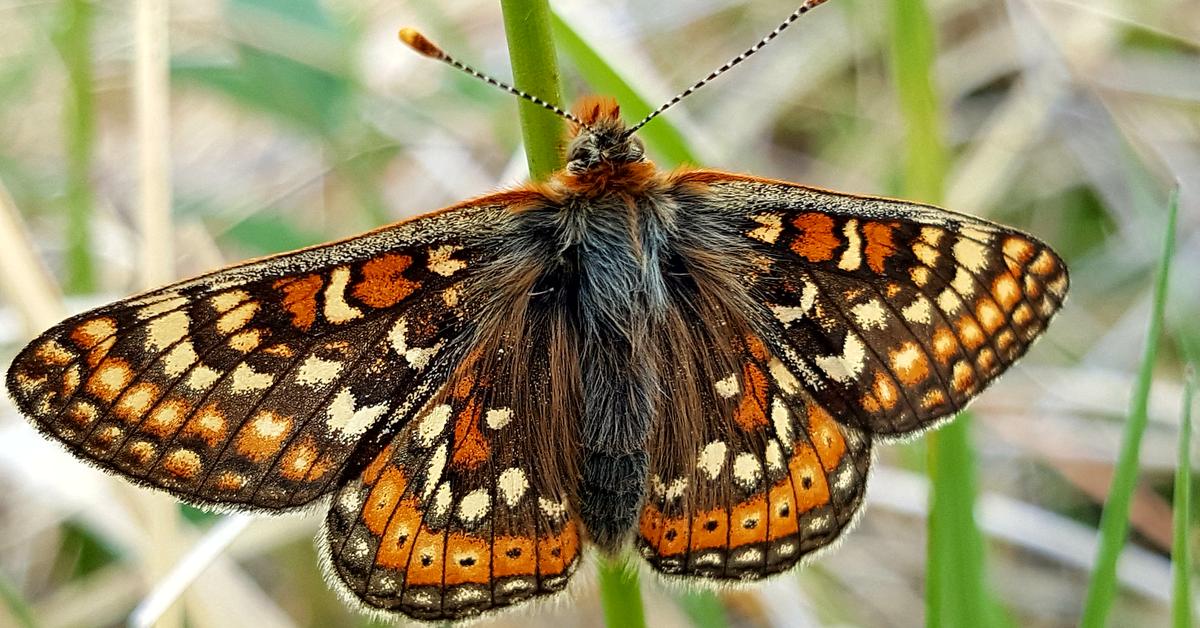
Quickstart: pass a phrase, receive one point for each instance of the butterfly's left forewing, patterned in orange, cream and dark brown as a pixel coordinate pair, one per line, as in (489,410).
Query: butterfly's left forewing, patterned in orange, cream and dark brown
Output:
(253,386)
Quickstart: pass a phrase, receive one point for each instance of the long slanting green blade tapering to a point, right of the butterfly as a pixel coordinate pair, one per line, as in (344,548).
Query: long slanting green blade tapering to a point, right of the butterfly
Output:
(1115,521)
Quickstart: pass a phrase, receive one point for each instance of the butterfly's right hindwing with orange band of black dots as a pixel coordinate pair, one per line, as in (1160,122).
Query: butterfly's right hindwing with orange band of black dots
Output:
(749,473)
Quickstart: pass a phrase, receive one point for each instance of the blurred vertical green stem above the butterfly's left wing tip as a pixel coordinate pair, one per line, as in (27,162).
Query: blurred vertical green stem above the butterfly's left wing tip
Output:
(74,43)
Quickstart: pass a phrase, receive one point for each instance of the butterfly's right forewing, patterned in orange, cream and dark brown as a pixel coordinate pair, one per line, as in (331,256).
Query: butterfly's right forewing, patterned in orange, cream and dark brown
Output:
(893,315)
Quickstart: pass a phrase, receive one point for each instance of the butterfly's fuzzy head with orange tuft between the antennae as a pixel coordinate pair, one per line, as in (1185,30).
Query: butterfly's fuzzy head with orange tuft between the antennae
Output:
(603,141)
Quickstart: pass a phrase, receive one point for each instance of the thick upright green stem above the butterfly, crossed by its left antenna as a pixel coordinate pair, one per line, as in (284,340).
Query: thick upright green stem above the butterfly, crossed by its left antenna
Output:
(536,71)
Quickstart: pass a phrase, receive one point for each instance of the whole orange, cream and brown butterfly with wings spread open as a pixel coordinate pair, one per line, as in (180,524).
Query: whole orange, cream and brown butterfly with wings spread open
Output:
(697,363)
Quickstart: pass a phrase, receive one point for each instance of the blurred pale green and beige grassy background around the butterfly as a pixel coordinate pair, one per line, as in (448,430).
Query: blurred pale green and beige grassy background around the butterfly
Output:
(298,122)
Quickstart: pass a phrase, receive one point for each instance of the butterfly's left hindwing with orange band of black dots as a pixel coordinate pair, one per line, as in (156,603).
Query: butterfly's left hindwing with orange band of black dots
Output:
(471,507)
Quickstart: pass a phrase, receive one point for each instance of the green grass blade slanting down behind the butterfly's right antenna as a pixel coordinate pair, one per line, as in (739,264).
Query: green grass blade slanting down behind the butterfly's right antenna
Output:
(661,136)
